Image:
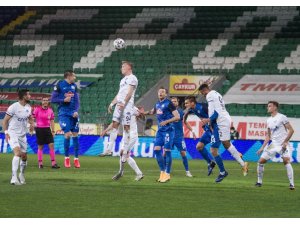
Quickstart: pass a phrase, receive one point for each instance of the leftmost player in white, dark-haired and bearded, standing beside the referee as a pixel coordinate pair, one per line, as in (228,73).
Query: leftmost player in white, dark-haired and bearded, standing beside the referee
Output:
(15,127)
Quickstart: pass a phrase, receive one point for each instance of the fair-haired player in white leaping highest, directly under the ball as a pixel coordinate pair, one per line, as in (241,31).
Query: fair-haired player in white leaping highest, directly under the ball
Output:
(124,102)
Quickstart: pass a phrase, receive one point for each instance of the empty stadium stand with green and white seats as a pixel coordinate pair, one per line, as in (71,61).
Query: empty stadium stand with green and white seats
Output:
(229,41)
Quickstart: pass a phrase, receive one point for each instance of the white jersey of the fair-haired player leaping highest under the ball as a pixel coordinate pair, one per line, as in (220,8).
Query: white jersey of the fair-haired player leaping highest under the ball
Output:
(124,88)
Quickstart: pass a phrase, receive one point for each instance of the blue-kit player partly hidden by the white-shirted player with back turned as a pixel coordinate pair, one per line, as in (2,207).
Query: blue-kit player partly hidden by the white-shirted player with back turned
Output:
(200,110)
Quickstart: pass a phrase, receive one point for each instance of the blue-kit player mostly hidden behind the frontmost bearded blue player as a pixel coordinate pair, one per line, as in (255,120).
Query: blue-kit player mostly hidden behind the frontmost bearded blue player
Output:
(179,142)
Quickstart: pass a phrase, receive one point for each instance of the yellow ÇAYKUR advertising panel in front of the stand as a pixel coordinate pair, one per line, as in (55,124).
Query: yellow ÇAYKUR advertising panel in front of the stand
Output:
(188,85)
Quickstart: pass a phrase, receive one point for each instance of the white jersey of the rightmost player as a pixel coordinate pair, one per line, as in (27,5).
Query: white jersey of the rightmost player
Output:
(277,128)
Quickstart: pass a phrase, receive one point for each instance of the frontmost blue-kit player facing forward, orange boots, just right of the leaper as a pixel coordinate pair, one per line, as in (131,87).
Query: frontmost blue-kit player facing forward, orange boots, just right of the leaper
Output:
(166,114)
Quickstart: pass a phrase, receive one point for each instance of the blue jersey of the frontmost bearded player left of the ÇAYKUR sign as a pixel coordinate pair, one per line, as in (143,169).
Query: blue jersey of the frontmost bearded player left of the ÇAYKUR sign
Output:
(163,110)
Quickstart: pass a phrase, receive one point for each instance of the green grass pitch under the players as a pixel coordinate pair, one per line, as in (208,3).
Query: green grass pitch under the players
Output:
(90,191)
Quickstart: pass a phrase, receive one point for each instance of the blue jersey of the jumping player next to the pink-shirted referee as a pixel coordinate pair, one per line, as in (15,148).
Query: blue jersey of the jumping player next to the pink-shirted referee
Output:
(62,90)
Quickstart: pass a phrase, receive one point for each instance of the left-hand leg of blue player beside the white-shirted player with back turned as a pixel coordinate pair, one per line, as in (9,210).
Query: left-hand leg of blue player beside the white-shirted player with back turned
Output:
(203,141)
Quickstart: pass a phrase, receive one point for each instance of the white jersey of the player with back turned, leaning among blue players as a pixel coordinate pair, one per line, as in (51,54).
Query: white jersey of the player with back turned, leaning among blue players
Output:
(216,103)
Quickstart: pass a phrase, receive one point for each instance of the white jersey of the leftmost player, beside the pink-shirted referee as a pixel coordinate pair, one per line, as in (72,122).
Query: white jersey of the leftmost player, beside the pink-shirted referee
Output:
(19,118)
